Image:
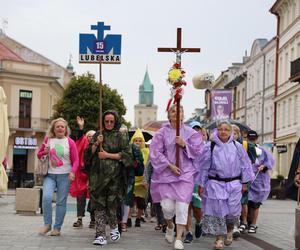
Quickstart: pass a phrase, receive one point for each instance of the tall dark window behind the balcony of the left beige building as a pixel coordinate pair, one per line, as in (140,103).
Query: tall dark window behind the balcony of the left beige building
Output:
(25,98)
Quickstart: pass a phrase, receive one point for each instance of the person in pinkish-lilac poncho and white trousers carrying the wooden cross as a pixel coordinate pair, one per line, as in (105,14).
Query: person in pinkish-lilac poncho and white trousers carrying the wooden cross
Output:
(173,185)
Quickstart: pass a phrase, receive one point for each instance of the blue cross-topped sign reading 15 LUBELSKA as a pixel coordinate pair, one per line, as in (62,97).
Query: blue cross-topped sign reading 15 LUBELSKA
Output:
(94,49)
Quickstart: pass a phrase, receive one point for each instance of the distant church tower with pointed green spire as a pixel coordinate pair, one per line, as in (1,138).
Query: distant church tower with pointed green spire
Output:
(145,111)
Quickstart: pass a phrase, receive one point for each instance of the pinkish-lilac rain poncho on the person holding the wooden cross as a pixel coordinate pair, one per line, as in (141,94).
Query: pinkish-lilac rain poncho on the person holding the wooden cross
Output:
(165,184)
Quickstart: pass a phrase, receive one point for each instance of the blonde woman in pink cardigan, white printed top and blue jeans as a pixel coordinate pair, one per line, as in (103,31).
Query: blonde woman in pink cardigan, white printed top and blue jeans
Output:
(63,164)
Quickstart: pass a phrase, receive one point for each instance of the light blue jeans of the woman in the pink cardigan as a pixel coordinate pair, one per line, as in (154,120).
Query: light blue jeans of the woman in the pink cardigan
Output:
(61,183)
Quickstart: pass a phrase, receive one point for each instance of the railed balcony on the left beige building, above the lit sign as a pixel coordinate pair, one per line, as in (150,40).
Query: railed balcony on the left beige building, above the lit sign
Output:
(35,124)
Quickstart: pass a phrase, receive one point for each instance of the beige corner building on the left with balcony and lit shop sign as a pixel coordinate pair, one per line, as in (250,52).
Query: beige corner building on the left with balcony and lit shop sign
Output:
(33,84)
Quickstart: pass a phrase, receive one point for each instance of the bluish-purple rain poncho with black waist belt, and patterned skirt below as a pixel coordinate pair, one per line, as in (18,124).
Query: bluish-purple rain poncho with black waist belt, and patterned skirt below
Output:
(222,200)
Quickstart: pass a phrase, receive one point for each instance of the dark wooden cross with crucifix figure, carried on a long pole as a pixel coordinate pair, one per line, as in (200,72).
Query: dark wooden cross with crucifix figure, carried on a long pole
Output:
(178,51)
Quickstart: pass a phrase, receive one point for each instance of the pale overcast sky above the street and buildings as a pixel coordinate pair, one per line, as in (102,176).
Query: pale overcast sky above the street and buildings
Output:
(223,29)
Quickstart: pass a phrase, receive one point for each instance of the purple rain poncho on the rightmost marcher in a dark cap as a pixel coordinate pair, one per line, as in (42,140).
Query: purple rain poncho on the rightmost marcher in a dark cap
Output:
(260,188)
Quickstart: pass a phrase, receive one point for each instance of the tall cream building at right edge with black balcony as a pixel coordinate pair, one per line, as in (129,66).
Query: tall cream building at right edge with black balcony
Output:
(287,87)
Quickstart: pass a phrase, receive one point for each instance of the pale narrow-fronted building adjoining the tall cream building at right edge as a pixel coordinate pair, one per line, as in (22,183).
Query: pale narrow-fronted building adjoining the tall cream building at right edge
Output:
(260,70)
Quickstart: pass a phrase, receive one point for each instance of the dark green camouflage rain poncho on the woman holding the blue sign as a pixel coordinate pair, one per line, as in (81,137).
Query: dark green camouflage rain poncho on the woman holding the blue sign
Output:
(107,177)
